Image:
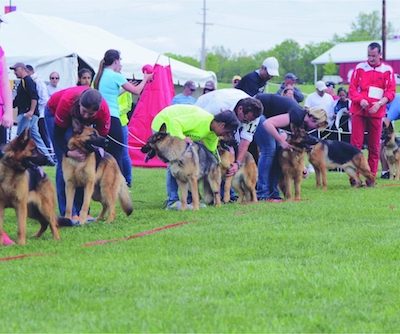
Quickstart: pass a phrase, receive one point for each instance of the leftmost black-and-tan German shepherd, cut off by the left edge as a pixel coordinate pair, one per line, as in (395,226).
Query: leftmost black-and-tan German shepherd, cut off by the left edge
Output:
(26,188)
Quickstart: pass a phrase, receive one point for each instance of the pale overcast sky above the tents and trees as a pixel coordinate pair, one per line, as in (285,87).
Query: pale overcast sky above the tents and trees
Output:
(238,25)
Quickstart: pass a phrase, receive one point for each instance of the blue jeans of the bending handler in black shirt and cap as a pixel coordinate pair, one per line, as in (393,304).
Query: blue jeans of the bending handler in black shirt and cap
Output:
(268,165)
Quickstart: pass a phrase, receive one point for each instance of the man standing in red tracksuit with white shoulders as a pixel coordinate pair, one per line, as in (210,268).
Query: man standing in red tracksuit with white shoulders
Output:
(372,86)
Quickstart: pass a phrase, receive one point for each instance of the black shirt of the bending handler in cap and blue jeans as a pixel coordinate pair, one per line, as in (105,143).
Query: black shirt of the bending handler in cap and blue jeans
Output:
(277,105)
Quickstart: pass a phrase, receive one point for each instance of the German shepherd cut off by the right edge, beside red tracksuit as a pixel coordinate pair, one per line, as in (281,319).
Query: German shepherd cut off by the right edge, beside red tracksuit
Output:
(391,150)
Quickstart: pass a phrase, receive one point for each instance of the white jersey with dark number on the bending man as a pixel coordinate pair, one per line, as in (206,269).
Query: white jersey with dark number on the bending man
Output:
(226,99)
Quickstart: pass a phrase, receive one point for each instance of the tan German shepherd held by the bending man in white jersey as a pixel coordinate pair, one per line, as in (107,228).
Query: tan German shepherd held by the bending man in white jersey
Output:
(244,181)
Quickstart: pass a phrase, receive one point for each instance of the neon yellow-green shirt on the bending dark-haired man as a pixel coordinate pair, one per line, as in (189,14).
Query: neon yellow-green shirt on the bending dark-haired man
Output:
(184,120)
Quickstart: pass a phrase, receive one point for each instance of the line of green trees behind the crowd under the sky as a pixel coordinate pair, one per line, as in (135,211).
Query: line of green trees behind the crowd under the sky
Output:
(292,57)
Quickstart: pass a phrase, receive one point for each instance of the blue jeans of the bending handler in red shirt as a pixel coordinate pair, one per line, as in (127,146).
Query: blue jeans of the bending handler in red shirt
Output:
(60,184)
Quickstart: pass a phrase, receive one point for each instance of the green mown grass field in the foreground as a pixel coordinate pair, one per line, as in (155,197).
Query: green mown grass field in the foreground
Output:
(329,263)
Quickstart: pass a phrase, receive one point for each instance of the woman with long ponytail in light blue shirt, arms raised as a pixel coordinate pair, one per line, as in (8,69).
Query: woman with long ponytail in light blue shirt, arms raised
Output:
(109,81)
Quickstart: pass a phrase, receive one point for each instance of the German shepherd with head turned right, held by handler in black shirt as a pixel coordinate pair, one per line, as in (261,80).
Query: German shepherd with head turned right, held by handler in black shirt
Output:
(291,161)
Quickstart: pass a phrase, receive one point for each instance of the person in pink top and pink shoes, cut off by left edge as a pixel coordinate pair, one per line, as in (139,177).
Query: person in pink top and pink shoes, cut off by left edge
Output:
(6,119)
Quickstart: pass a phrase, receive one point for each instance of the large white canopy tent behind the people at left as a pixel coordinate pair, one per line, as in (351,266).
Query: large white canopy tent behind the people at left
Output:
(54,44)
